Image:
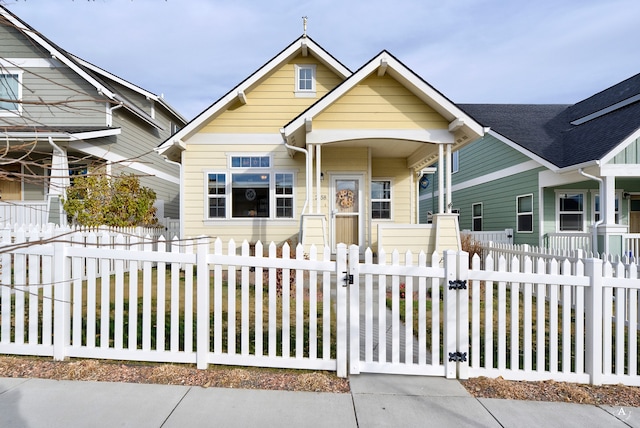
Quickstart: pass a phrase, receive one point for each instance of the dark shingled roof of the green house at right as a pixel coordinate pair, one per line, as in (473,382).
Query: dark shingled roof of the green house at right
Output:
(569,136)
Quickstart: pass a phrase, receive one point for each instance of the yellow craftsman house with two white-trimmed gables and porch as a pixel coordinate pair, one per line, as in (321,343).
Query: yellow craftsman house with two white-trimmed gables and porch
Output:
(308,151)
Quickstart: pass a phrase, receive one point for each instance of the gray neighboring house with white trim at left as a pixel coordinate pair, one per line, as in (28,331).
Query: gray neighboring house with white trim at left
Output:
(60,115)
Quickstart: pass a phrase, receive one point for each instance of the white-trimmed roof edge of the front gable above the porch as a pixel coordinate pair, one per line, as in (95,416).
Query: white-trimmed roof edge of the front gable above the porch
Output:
(384,62)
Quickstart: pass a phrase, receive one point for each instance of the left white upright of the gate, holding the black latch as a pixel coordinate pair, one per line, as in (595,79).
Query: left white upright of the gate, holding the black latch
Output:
(354,308)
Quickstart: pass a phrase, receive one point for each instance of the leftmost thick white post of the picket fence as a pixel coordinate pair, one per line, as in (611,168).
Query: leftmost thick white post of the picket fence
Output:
(62,304)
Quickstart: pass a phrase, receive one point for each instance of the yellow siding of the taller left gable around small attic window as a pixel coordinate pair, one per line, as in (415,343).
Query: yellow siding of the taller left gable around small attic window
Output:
(272,103)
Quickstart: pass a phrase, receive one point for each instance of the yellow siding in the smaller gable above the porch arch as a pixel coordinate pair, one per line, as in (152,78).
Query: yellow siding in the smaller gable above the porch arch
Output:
(379,103)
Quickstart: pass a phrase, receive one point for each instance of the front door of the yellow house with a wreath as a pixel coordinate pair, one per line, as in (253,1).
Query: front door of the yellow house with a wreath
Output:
(346,210)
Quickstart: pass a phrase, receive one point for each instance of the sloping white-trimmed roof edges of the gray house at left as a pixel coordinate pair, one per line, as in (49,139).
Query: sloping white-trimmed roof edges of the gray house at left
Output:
(83,69)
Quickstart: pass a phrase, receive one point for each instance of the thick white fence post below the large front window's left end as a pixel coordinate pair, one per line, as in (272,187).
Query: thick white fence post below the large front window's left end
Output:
(202,304)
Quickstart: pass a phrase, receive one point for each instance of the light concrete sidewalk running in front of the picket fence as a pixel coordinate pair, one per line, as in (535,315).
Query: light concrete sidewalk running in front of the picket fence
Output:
(375,401)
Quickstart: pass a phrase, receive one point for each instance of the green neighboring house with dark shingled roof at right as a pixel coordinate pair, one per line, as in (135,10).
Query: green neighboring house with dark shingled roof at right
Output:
(562,176)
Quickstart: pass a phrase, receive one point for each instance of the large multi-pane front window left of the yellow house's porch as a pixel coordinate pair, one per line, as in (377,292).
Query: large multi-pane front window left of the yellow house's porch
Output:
(250,188)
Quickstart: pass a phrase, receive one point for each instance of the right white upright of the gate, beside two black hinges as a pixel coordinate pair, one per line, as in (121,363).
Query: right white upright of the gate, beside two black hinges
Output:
(449,316)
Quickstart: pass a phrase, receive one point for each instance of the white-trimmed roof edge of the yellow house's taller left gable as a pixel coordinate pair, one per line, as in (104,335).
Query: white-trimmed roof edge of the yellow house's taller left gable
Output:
(304,45)
